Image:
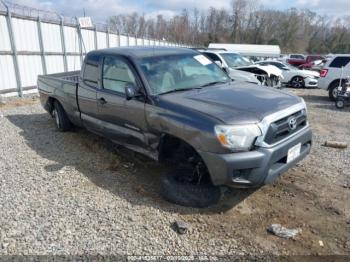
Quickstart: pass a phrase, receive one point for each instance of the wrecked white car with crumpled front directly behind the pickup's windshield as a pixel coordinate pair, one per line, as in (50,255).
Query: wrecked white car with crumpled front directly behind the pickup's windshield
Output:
(242,69)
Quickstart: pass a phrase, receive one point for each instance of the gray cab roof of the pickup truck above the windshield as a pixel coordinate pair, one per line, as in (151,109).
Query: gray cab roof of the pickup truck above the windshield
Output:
(144,51)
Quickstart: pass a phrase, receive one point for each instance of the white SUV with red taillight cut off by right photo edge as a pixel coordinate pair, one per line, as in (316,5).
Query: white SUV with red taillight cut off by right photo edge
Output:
(334,74)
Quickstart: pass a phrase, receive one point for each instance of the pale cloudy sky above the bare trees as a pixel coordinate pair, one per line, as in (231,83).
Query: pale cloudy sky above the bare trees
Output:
(100,9)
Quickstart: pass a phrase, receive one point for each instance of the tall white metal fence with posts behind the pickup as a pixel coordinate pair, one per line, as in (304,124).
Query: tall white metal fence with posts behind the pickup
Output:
(35,42)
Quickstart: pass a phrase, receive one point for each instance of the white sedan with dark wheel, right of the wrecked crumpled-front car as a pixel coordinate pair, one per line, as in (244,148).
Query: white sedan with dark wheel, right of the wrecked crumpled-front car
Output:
(295,77)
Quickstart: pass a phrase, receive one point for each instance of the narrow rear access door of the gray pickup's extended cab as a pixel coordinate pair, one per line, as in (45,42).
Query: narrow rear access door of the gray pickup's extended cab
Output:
(87,92)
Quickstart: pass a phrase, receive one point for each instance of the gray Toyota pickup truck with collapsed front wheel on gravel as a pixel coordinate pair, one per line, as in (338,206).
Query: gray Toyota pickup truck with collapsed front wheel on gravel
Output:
(176,105)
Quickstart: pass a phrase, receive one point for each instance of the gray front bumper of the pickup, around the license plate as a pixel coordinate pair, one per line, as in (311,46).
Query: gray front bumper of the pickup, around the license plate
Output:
(258,167)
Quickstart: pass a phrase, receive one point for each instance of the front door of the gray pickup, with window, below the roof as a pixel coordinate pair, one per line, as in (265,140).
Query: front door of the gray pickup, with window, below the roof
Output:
(123,121)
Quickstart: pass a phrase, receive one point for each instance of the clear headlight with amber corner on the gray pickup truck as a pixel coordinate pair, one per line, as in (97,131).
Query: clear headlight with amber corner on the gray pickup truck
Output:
(237,138)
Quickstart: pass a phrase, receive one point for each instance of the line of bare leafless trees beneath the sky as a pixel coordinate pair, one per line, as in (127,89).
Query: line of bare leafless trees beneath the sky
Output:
(245,22)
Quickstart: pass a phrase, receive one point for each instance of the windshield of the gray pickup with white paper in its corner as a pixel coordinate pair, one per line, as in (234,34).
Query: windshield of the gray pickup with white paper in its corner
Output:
(180,72)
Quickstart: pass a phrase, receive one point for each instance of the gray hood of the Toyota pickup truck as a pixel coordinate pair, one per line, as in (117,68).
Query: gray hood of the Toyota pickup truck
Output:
(235,103)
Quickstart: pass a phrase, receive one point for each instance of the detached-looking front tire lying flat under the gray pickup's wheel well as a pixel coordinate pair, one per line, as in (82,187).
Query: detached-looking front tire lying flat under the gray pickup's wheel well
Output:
(184,193)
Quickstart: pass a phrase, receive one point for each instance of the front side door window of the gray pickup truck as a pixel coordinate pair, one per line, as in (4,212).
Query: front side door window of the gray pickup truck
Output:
(116,74)
